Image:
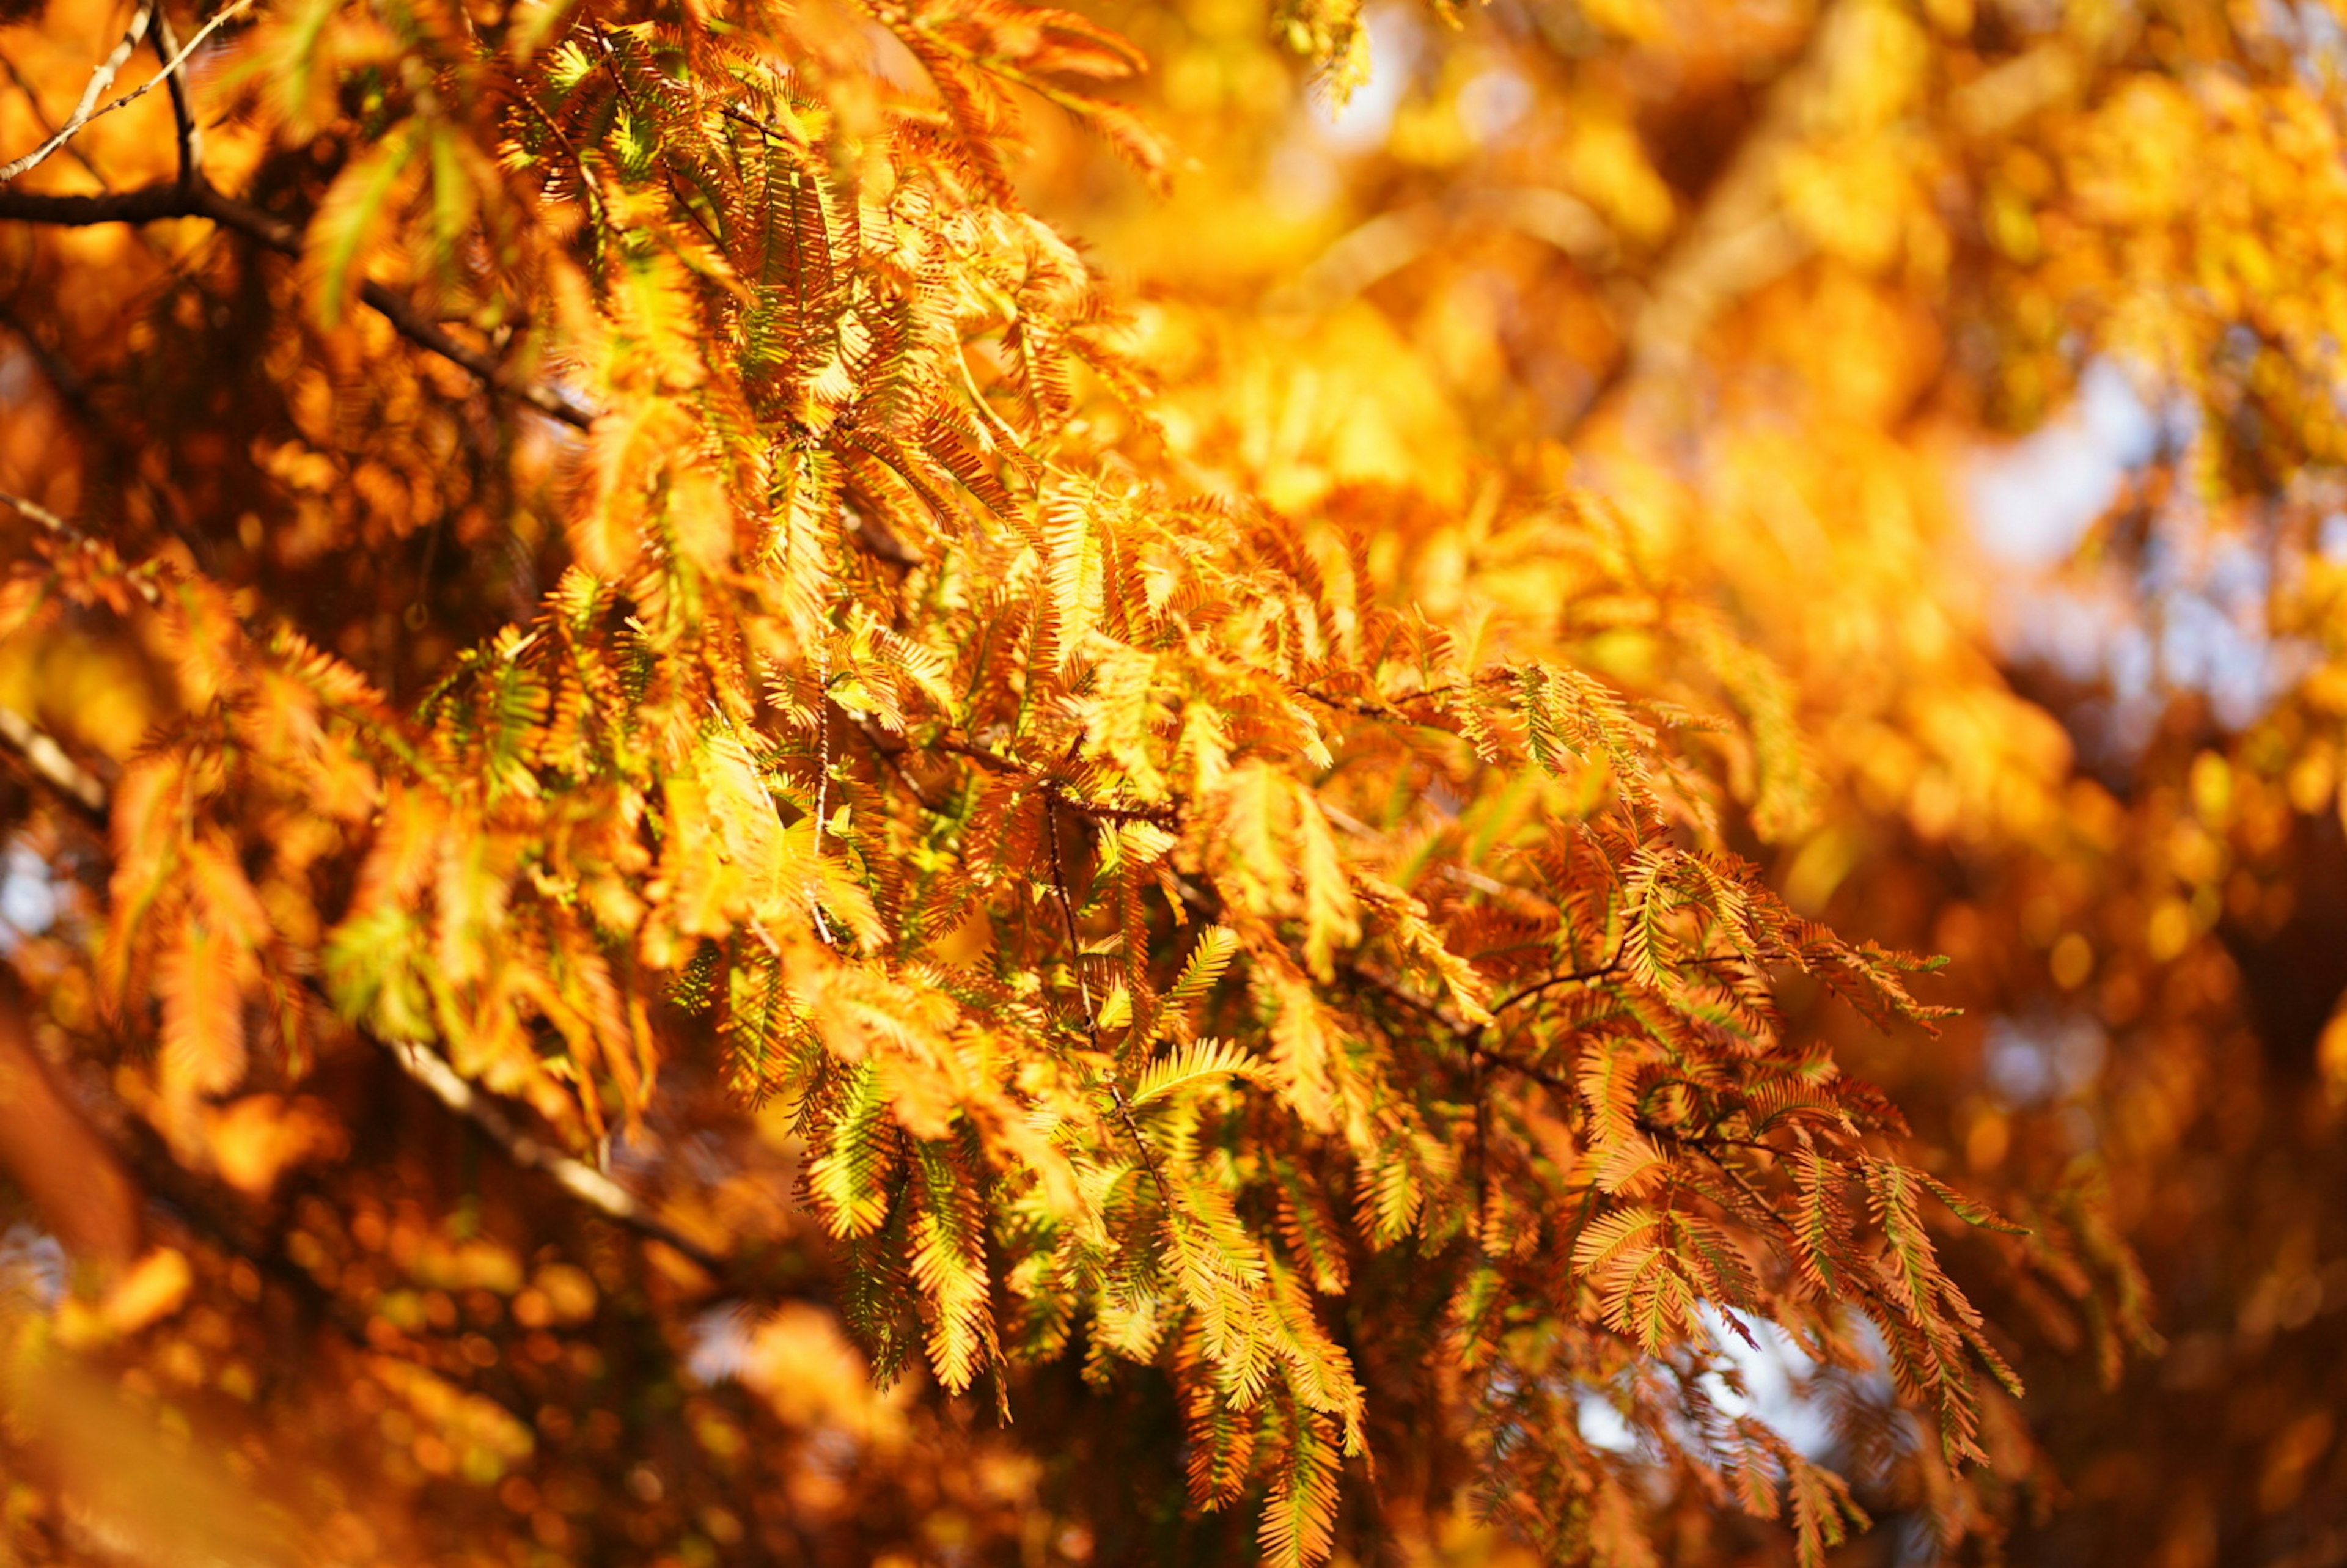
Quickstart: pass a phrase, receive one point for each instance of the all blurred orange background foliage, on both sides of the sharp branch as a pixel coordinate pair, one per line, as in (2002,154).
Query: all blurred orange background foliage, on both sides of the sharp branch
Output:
(1977,363)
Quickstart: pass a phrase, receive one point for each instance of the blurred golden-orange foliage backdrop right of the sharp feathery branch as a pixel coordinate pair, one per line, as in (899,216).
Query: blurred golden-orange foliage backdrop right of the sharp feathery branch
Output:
(1982,365)
